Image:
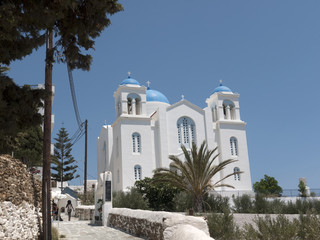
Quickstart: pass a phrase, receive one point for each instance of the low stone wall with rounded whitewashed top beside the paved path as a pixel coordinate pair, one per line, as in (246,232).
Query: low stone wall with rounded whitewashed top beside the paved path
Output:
(158,225)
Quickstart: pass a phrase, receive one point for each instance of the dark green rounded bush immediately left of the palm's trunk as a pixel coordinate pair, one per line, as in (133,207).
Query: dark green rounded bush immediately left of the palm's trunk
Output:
(159,195)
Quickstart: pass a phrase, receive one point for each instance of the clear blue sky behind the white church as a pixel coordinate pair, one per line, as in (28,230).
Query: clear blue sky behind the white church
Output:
(268,51)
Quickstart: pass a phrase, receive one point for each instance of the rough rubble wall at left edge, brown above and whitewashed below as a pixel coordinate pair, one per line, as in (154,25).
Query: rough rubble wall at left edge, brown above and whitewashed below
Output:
(20,201)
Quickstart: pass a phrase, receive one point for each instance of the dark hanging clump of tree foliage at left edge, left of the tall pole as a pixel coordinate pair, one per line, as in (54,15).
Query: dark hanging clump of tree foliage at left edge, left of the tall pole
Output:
(18,112)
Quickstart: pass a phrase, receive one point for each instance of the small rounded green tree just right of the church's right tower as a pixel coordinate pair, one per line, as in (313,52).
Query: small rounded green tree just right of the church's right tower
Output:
(268,186)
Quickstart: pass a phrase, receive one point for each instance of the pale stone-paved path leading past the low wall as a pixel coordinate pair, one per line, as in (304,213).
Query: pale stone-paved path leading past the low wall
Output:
(83,230)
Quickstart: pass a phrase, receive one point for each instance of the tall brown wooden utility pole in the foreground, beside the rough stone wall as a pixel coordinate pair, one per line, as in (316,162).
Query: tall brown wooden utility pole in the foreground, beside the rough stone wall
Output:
(46,172)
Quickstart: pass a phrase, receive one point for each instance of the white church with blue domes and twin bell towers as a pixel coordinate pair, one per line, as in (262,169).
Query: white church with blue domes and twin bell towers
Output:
(147,129)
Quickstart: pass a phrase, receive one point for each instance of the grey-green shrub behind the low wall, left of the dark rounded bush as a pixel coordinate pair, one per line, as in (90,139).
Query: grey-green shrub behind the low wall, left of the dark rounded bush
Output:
(132,199)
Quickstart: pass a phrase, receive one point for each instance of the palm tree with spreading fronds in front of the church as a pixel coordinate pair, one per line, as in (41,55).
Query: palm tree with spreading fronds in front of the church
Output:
(195,174)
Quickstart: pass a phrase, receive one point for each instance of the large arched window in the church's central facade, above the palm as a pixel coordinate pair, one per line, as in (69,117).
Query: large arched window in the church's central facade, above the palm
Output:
(186,131)
